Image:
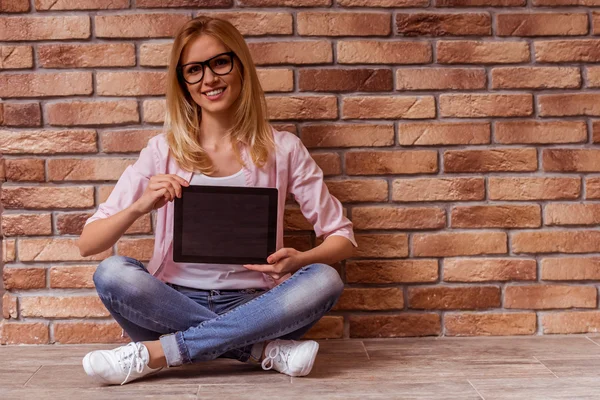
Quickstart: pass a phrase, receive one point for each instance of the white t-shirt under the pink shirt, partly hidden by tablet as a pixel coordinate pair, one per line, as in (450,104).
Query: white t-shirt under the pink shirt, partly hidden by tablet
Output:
(213,276)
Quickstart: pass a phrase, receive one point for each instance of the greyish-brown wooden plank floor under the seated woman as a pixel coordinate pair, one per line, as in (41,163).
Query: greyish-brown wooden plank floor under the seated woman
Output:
(542,367)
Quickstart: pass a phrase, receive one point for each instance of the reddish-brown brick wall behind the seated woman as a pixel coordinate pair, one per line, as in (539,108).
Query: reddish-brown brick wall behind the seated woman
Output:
(459,134)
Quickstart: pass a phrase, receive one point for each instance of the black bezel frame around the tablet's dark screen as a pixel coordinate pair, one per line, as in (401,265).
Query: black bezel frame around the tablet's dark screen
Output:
(272,194)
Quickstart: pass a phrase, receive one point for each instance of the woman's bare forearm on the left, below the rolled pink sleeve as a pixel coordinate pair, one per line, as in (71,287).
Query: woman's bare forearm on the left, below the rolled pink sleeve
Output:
(101,234)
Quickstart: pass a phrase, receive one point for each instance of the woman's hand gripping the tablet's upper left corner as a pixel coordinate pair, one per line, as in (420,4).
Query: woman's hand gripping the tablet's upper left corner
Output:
(160,190)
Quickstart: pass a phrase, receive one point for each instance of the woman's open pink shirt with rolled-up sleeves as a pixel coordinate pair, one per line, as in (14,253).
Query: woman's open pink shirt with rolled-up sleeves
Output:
(290,169)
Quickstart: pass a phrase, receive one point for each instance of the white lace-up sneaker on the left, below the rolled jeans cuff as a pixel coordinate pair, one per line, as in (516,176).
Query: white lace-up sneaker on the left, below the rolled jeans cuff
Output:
(120,365)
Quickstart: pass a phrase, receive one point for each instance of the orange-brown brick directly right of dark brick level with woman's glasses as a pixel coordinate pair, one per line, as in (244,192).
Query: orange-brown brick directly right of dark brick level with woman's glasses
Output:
(440,78)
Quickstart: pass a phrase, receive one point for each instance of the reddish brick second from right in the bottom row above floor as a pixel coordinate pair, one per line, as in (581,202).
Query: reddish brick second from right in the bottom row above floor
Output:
(496,324)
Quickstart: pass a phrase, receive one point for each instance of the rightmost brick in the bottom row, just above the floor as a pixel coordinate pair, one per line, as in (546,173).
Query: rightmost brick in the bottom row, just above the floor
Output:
(571,322)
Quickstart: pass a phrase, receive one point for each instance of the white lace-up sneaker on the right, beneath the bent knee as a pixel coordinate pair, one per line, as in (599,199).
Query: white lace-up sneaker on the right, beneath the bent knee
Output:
(291,357)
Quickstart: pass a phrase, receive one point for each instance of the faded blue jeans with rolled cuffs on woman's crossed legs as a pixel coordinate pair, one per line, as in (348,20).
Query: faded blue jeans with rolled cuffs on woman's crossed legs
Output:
(200,325)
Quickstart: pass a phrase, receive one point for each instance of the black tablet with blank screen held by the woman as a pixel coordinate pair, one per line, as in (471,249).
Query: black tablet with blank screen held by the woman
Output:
(225,225)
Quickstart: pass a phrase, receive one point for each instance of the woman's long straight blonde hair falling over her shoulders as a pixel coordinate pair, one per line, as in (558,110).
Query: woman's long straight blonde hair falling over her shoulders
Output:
(182,120)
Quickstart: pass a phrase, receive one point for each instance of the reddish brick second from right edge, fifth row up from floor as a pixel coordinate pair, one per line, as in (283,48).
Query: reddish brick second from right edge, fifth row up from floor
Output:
(497,216)
